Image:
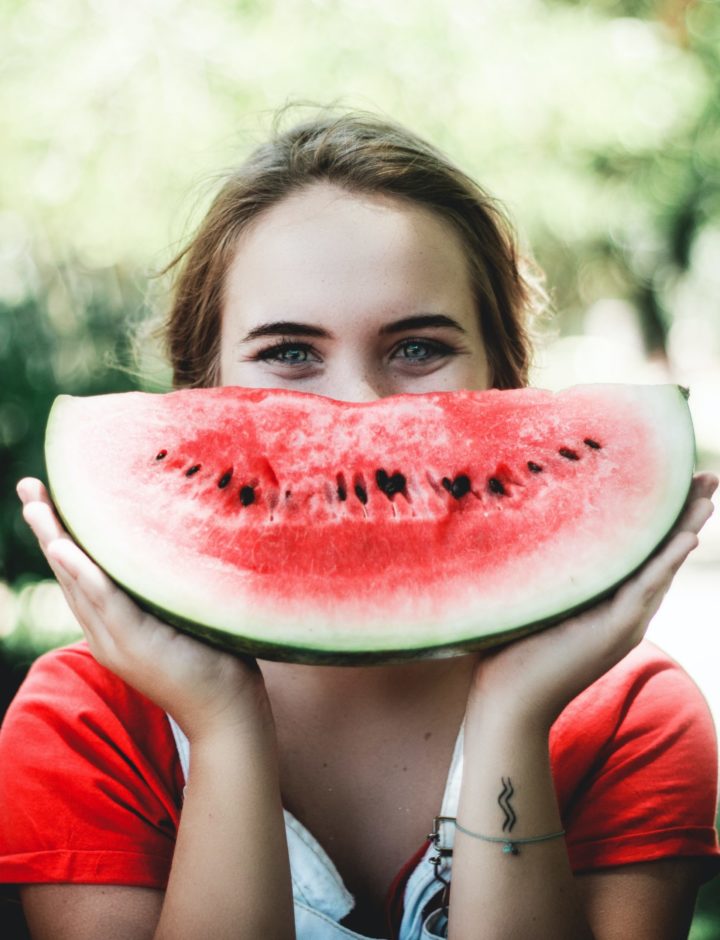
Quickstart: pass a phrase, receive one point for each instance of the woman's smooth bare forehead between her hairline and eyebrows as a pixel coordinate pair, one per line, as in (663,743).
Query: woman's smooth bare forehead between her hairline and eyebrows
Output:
(324,246)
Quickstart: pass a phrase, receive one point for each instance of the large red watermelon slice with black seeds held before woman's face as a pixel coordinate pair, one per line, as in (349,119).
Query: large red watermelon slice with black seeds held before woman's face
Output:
(296,527)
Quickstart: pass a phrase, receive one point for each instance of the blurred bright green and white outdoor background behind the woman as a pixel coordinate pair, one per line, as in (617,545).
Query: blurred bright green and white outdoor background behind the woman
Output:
(597,123)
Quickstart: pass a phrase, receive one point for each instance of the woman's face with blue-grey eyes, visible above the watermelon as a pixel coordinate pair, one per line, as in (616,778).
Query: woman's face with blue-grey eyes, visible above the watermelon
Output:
(350,296)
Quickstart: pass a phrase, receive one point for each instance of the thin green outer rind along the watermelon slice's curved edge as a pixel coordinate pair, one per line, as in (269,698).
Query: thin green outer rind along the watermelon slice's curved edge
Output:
(460,640)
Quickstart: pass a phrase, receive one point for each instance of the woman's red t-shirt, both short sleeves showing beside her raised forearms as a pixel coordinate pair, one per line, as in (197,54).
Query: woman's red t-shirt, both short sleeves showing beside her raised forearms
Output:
(91,784)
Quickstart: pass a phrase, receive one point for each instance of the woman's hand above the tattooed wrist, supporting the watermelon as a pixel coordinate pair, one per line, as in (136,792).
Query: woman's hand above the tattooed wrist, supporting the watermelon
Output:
(537,676)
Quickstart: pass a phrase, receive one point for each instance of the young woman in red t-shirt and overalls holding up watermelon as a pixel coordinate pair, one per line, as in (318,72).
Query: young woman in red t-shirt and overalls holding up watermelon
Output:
(155,787)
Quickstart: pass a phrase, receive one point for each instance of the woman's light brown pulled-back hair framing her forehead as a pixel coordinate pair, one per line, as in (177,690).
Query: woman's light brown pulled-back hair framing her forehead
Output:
(365,154)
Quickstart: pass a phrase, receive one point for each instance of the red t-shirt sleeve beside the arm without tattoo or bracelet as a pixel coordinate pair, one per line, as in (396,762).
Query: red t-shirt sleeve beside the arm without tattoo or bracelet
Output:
(90,785)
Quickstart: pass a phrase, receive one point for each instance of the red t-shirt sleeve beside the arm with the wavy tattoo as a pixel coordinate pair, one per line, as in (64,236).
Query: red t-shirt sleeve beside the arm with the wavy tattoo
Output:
(636,767)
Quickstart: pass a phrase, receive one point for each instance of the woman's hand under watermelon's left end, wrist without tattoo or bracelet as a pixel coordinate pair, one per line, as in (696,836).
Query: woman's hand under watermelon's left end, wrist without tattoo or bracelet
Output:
(204,689)
